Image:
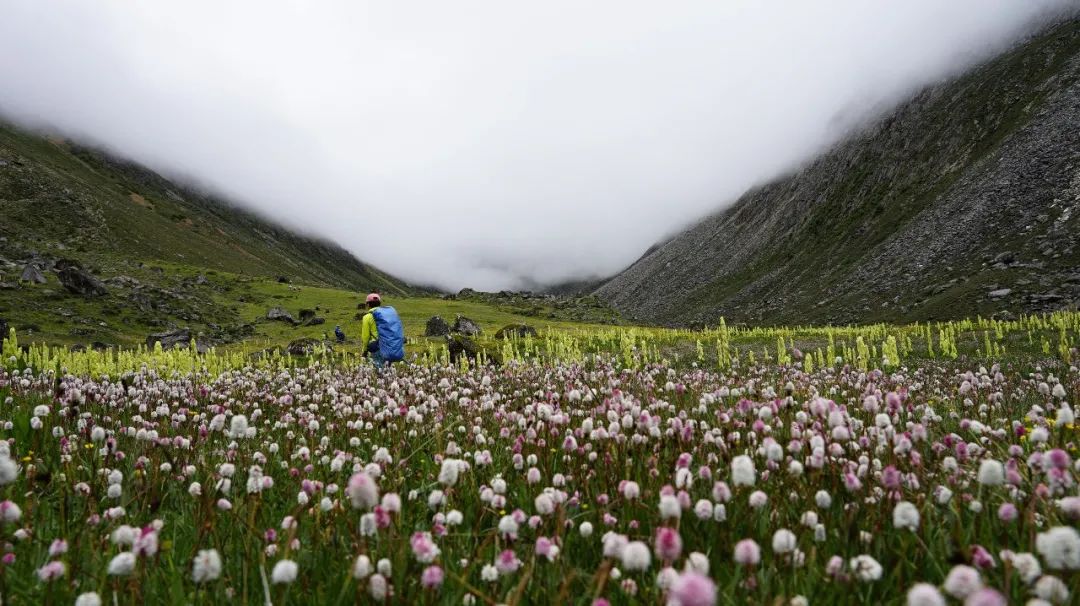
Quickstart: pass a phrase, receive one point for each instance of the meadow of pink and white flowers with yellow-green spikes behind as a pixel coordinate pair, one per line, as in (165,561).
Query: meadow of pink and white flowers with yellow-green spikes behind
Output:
(725,467)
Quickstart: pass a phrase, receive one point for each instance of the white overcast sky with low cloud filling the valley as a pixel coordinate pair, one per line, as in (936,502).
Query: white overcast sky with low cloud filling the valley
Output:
(483,143)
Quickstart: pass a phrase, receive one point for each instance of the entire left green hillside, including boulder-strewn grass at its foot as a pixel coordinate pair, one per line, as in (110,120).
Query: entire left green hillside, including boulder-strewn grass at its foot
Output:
(98,251)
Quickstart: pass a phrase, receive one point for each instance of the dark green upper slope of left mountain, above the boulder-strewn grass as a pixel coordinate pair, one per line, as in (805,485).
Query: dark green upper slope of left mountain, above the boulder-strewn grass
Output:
(60,199)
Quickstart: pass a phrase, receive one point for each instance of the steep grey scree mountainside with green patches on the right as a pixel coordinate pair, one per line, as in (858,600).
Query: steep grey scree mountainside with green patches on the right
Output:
(964,201)
